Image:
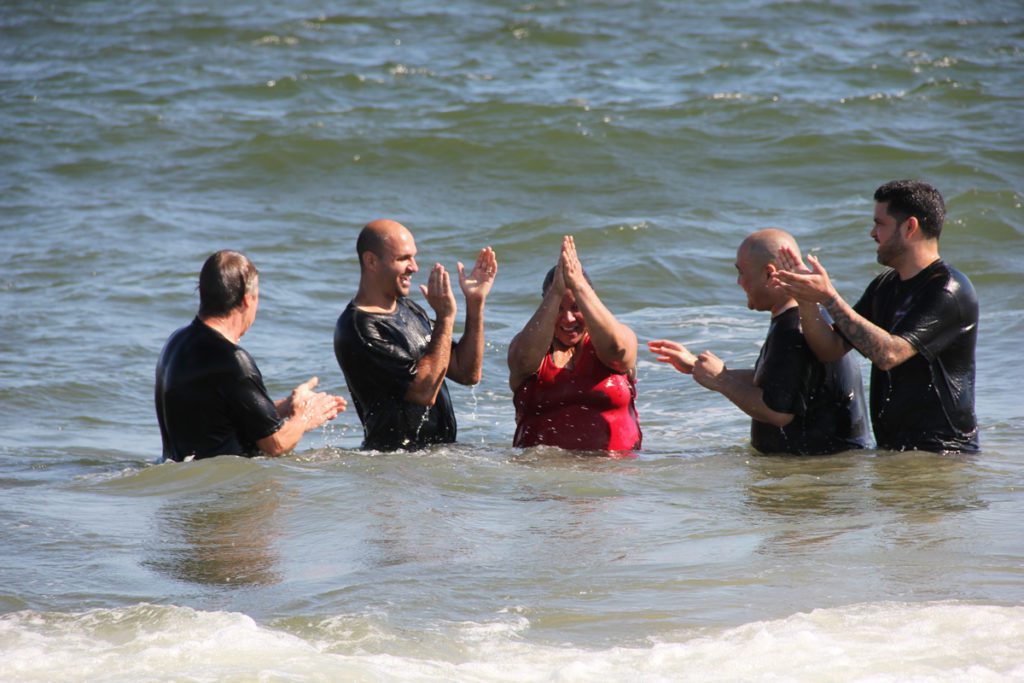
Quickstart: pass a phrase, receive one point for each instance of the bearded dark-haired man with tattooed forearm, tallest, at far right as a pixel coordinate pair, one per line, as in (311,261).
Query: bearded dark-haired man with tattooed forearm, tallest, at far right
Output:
(917,322)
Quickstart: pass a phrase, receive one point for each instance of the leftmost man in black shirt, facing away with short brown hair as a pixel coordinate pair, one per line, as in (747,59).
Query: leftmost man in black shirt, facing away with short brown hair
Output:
(210,395)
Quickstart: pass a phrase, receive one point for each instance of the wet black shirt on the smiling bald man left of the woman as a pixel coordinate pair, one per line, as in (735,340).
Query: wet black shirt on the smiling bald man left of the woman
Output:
(379,354)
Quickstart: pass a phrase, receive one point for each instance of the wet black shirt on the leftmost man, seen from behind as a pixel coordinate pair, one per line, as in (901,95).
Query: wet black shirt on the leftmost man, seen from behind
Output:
(210,397)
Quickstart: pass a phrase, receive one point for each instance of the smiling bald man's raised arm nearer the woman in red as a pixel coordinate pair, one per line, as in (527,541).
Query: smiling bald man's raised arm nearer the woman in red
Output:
(467,357)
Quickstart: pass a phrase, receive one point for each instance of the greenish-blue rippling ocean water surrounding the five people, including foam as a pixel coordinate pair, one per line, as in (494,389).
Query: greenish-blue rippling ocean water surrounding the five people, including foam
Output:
(138,138)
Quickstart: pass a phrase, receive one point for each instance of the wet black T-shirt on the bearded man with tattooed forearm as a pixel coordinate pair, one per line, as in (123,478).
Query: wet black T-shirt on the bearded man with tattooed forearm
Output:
(926,403)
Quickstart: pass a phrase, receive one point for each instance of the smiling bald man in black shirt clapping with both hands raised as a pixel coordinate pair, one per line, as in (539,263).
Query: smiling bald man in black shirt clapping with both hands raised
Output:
(394,359)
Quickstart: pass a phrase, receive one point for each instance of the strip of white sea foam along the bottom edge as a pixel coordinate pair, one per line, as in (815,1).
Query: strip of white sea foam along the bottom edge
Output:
(879,643)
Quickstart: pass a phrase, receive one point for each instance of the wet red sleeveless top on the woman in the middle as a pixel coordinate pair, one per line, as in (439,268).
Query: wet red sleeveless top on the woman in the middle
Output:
(585,408)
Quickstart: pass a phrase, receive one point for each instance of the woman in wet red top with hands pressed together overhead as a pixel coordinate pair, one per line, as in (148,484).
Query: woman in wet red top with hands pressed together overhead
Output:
(573,368)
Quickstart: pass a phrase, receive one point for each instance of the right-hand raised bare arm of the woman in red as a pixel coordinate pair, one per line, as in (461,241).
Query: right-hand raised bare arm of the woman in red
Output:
(615,344)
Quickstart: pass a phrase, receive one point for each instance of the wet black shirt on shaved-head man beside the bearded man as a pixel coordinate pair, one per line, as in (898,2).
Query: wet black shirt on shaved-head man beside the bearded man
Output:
(826,400)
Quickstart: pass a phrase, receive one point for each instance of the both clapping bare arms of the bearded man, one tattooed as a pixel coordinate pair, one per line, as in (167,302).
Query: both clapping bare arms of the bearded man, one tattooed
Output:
(815,287)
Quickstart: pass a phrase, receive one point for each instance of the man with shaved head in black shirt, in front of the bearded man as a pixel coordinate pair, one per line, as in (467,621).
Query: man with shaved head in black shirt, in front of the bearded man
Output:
(797,404)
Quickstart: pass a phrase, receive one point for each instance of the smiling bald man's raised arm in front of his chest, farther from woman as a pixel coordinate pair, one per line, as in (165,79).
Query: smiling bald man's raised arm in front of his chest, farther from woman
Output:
(435,363)
